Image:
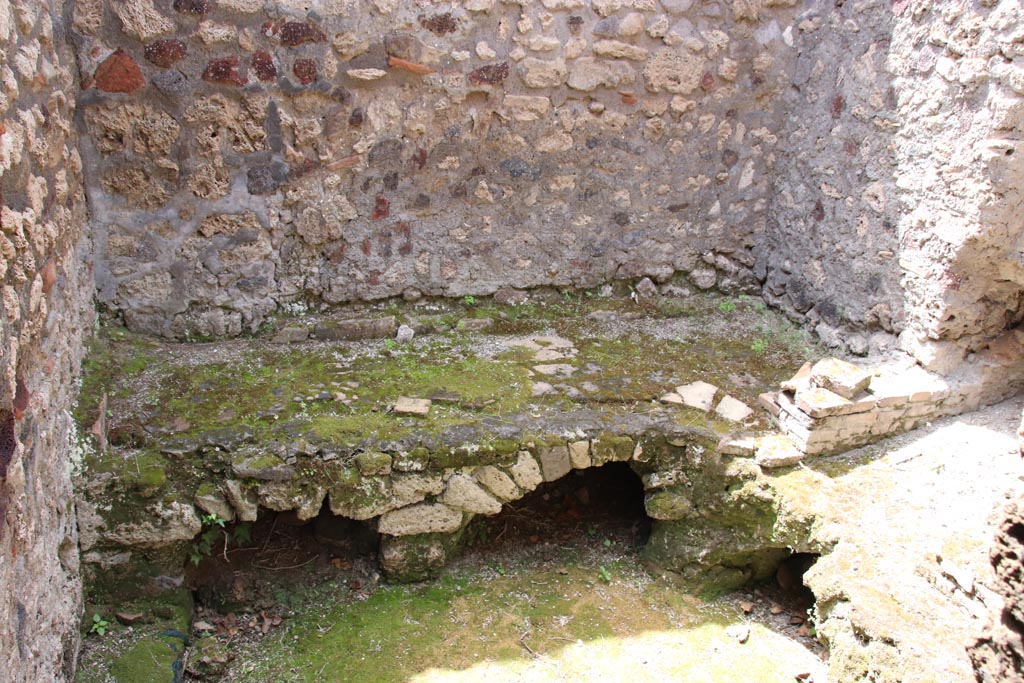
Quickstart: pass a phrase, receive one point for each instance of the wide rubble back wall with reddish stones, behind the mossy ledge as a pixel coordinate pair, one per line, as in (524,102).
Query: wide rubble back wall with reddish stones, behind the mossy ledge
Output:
(249,156)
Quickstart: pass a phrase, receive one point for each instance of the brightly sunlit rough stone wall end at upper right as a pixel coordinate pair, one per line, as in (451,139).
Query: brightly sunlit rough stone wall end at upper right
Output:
(960,173)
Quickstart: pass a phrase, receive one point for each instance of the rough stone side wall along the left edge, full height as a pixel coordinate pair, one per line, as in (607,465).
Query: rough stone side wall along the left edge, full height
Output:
(47,287)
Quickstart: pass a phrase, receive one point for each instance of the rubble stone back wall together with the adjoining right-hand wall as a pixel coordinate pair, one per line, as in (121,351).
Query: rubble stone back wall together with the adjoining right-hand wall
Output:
(854,162)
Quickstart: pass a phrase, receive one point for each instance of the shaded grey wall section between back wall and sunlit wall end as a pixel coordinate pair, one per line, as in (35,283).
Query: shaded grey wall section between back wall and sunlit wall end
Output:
(831,250)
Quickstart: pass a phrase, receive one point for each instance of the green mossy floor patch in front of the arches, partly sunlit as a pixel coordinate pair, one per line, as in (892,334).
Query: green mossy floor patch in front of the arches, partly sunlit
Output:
(582,617)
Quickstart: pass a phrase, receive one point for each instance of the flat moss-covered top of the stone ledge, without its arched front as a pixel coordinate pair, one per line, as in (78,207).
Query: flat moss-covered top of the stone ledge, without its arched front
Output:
(340,392)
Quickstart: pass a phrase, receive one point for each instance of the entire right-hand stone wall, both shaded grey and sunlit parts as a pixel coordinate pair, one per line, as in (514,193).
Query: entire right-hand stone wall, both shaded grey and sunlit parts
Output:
(899,191)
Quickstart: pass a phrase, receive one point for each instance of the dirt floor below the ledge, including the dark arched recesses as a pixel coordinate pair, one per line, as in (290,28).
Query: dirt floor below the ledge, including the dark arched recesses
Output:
(551,590)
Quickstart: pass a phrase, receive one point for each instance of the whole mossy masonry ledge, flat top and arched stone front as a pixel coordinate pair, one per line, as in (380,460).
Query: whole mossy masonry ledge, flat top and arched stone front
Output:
(417,437)
